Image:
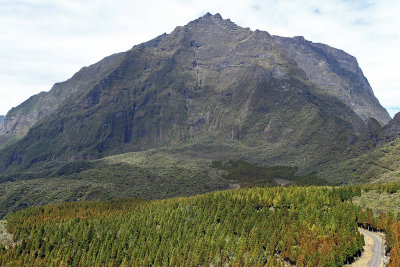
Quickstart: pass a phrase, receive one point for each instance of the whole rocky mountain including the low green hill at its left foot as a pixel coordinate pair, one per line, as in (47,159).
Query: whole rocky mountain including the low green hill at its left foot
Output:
(208,91)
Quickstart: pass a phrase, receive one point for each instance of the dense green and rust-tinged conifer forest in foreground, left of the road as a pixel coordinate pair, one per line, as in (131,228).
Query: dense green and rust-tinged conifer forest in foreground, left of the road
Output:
(309,226)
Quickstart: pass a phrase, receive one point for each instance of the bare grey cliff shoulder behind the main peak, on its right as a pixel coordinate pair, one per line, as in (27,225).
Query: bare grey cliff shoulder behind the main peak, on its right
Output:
(336,73)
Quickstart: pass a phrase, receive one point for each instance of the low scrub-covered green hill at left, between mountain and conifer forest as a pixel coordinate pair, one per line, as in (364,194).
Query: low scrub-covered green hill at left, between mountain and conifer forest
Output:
(146,175)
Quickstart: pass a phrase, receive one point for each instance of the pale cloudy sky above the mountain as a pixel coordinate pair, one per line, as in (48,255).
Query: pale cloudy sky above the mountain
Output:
(46,41)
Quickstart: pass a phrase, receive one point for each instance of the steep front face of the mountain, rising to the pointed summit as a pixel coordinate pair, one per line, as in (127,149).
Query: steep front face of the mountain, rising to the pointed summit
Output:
(208,80)
